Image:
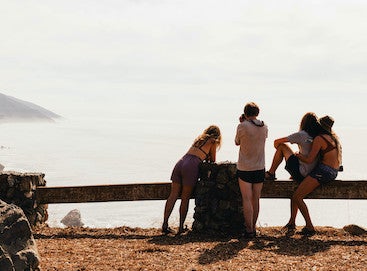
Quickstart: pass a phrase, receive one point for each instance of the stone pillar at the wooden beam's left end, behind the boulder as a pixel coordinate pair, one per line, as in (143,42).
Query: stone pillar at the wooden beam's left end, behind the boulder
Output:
(19,189)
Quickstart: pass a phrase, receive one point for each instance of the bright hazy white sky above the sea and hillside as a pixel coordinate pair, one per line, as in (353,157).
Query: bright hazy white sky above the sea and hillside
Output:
(86,50)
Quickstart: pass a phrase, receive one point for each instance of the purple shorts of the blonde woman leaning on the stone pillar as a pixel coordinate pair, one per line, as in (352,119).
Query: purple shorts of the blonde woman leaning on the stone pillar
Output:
(186,170)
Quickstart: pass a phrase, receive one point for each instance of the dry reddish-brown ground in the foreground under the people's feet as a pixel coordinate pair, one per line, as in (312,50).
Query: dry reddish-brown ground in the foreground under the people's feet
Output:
(125,248)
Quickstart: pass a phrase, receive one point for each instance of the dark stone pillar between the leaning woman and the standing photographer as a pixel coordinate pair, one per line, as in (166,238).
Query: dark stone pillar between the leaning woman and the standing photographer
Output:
(218,202)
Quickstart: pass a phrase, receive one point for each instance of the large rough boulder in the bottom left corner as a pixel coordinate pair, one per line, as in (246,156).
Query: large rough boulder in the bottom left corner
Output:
(18,250)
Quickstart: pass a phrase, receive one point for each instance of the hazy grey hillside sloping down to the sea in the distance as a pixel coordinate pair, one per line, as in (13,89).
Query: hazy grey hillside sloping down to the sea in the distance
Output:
(13,109)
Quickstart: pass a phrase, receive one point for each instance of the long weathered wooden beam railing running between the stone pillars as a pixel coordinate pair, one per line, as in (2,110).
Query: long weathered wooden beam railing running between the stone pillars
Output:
(160,191)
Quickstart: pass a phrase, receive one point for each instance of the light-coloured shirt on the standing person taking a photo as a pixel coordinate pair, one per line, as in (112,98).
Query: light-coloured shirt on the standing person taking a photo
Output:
(251,138)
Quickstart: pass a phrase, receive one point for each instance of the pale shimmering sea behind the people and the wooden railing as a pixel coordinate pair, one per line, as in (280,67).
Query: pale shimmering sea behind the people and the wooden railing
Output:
(139,137)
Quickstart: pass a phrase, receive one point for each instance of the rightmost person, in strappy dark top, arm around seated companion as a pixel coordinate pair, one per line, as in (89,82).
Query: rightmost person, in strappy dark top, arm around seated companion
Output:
(328,147)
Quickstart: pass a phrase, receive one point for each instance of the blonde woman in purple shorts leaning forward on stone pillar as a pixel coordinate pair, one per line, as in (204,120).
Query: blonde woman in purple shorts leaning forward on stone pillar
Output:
(186,173)
